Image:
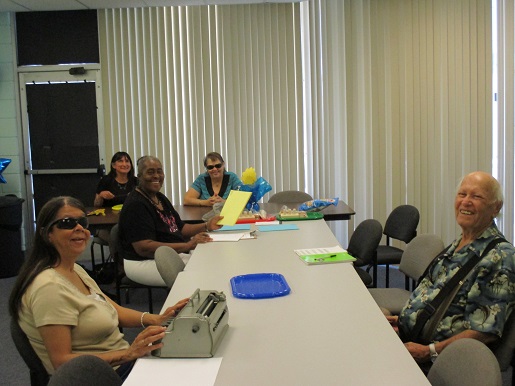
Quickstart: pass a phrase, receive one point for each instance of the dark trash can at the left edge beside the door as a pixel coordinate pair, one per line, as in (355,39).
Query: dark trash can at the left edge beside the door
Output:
(11,255)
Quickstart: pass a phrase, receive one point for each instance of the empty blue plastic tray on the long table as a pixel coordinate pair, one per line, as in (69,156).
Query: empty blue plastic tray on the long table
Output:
(259,286)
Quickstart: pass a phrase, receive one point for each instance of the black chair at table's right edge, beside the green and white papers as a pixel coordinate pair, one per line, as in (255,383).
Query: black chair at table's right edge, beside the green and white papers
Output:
(363,246)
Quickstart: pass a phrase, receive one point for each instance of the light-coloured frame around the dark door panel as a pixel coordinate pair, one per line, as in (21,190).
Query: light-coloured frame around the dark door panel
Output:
(53,74)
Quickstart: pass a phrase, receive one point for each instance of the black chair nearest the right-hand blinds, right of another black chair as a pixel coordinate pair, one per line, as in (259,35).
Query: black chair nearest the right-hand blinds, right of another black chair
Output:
(401,225)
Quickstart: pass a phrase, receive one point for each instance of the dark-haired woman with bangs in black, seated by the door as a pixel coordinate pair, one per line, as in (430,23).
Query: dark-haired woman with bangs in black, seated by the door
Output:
(113,188)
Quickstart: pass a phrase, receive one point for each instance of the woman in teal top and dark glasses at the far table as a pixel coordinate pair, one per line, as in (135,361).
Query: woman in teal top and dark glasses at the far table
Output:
(214,185)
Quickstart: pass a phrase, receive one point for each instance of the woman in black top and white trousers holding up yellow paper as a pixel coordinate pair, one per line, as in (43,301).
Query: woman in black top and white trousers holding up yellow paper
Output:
(148,221)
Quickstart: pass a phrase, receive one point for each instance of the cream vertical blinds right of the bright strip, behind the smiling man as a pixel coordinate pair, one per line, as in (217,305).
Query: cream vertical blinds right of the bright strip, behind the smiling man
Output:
(412,93)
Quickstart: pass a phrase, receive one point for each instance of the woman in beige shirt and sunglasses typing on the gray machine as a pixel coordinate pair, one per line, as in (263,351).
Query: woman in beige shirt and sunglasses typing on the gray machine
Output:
(62,310)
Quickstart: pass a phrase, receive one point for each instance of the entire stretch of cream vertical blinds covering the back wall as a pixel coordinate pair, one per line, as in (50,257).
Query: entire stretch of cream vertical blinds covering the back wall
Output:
(394,107)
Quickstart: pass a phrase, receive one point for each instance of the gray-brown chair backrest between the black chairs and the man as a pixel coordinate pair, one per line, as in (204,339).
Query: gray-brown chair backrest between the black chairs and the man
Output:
(419,253)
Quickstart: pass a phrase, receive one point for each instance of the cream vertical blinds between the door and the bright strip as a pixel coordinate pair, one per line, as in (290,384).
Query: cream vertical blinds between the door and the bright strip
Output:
(182,81)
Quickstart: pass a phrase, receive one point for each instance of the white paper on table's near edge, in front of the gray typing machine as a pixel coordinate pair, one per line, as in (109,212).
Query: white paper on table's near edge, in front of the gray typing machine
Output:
(173,371)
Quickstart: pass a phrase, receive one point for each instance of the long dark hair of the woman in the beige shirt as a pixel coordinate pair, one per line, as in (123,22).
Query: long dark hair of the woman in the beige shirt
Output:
(43,254)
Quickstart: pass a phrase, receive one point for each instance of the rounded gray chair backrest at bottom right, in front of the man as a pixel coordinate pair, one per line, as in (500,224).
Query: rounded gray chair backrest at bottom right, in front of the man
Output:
(465,362)
